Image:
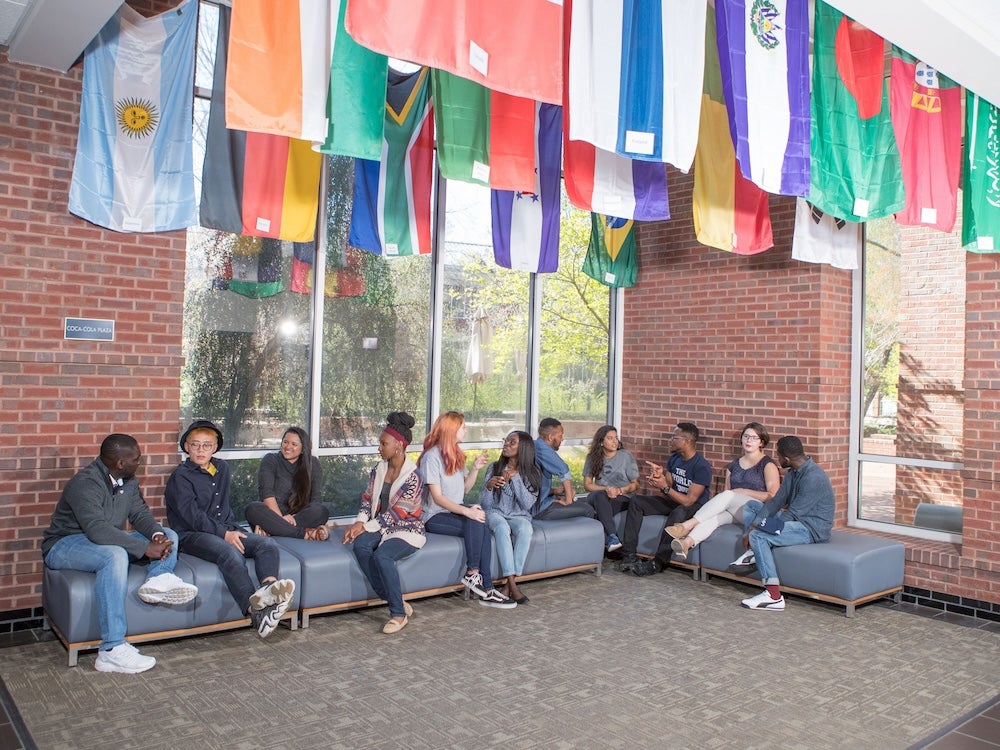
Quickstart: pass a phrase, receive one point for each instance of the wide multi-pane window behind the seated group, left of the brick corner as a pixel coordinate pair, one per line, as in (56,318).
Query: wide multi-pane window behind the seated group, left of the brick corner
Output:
(333,338)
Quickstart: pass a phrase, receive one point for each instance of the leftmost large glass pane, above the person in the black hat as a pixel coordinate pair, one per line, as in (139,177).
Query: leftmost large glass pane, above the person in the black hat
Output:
(246,338)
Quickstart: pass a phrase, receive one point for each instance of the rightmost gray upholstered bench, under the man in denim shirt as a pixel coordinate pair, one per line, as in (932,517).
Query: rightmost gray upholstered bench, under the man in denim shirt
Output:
(848,570)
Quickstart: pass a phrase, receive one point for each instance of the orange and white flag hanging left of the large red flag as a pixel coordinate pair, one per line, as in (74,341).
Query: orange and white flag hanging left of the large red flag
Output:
(279,67)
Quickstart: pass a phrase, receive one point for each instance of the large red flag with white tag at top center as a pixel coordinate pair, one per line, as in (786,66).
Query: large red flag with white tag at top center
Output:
(511,46)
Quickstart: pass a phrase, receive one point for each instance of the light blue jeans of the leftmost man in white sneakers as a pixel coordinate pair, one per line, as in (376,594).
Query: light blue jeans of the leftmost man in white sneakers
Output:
(110,562)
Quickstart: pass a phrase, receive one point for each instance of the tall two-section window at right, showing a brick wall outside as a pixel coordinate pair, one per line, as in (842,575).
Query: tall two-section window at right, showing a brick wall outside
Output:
(909,398)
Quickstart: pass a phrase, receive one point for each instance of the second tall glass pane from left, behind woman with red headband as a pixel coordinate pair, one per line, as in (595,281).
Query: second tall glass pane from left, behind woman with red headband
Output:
(376,330)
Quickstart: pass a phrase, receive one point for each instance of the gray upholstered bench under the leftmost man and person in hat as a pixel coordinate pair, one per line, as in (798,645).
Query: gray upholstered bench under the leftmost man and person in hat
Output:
(68,602)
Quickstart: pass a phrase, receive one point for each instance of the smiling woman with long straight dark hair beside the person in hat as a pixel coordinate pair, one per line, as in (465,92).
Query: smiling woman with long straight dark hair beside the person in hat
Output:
(290,483)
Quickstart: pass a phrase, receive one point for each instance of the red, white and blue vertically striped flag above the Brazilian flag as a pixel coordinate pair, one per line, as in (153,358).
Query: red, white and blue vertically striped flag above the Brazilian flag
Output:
(604,182)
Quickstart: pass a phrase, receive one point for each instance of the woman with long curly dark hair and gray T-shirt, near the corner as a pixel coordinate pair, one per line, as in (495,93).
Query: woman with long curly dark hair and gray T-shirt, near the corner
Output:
(610,475)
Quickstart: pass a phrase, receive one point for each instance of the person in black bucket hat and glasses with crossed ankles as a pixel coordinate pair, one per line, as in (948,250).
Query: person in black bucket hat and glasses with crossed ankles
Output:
(197,500)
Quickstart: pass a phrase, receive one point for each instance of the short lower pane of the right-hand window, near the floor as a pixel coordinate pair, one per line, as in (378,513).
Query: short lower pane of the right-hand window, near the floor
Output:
(909,494)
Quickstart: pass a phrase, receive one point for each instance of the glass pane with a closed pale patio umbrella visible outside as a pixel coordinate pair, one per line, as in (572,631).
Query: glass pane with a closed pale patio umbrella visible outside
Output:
(484,347)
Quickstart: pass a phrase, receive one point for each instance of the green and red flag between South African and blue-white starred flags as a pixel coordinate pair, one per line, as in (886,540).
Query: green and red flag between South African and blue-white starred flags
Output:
(483,136)
